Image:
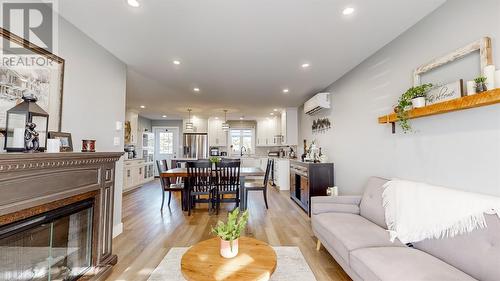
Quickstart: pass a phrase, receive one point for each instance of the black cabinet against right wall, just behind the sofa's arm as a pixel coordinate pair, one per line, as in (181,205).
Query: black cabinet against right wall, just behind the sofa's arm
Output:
(309,179)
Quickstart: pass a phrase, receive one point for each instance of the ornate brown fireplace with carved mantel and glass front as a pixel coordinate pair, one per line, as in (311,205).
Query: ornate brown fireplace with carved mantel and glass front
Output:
(56,216)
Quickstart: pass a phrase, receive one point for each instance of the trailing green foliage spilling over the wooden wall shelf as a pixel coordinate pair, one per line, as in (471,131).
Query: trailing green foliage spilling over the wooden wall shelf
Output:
(404,103)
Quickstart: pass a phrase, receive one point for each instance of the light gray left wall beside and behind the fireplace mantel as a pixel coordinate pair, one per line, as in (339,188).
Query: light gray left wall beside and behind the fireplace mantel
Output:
(94,98)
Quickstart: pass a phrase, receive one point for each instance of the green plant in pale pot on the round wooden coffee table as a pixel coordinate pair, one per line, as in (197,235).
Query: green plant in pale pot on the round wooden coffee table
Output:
(230,232)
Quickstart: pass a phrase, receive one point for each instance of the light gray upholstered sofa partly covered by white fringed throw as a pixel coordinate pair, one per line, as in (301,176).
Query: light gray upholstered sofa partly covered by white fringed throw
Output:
(353,230)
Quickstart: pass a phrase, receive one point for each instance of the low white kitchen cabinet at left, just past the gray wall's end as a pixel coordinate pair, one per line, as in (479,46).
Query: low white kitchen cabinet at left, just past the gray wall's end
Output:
(136,173)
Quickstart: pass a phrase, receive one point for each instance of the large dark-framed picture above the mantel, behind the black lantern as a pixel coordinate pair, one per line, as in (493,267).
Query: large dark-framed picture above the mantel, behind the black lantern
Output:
(37,71)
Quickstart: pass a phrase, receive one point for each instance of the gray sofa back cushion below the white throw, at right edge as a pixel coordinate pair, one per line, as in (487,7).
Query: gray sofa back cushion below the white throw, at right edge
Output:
(476,253)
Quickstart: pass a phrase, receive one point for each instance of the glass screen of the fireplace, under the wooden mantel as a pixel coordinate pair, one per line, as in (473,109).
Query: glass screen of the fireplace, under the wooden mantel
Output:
(52,246)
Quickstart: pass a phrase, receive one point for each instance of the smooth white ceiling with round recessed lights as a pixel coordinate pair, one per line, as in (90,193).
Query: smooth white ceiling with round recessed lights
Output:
(241,54)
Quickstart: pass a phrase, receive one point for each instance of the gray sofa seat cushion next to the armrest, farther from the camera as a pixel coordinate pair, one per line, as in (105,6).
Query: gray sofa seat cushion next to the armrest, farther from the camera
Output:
(346,232)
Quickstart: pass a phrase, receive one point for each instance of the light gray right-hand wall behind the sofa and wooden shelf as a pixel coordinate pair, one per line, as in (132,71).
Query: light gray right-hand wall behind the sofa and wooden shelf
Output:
(460,149)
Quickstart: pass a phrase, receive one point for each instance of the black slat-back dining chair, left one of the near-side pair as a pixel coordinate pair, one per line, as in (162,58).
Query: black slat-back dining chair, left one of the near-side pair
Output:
(200,183)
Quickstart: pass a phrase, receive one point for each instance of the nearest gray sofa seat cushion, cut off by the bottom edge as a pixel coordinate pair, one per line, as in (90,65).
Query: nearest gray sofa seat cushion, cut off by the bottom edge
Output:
(398,263)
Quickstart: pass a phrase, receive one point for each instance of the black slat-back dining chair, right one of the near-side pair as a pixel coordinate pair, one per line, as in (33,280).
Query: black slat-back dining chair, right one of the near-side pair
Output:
(227,181)
